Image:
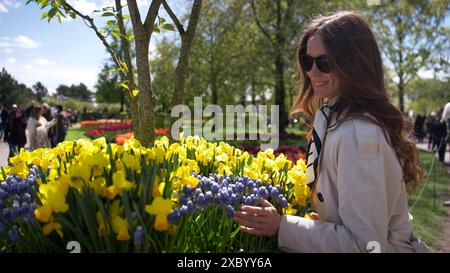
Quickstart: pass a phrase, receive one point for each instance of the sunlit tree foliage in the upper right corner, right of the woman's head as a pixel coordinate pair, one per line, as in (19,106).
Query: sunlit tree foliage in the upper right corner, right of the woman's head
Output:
(410,33)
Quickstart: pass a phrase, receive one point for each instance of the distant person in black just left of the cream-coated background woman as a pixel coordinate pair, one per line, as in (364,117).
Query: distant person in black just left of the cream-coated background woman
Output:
(18,124)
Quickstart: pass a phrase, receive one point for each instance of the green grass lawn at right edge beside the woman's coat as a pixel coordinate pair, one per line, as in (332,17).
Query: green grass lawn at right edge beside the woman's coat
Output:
(429,213)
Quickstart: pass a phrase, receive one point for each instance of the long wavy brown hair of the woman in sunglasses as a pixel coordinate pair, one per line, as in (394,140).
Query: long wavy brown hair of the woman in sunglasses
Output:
(356,63)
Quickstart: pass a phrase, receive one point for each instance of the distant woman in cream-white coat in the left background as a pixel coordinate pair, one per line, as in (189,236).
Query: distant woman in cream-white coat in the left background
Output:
(37,130)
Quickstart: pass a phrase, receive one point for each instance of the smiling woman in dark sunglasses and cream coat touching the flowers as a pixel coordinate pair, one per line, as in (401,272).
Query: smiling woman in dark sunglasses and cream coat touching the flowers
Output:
(360,159)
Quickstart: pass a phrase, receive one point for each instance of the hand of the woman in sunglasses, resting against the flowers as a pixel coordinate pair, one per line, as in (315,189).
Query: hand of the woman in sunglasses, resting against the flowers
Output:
(263,220)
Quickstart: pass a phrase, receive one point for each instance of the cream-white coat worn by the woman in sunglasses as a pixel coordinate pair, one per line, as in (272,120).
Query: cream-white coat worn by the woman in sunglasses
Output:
(364,200)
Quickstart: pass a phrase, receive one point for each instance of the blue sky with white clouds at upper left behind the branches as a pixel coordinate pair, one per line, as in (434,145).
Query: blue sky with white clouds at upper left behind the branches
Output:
(34,50)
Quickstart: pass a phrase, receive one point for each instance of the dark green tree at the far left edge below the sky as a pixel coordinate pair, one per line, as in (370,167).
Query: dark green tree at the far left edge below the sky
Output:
(13,92)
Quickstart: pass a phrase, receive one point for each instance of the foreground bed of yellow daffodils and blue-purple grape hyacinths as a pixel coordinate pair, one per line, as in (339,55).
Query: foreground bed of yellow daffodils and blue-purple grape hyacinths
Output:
(177,197)
